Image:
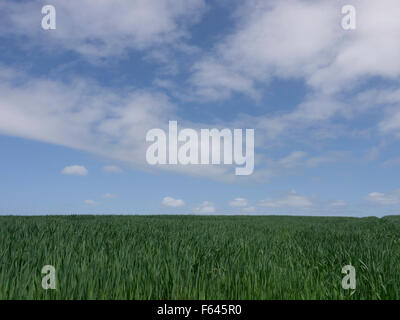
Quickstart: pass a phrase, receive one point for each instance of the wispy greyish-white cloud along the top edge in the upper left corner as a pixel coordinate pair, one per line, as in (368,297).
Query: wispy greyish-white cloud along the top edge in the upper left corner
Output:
(104,28)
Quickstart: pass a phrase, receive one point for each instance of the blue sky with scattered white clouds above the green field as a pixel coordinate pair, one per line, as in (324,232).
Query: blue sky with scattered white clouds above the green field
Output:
(76,103)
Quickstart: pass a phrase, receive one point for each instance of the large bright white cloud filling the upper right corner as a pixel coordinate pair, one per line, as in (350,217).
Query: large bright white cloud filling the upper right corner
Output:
(313,46)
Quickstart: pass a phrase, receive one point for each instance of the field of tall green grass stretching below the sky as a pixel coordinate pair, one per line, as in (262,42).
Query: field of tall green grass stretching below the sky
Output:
(199,257)
